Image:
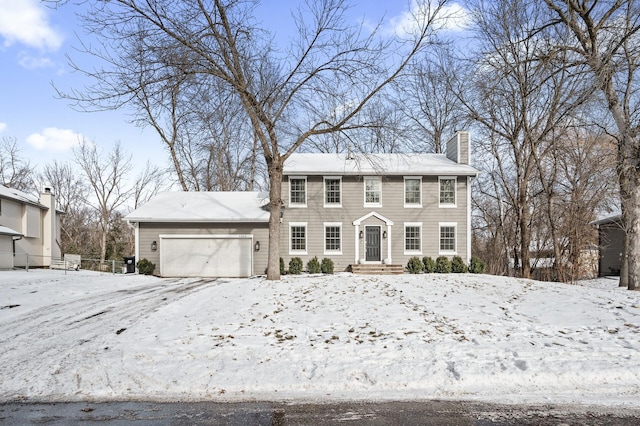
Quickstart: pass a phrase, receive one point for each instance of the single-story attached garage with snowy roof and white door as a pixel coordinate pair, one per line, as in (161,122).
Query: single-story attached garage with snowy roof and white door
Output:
(203,234)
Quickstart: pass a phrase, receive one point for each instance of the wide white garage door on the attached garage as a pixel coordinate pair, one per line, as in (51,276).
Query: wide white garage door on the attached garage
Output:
(205,255)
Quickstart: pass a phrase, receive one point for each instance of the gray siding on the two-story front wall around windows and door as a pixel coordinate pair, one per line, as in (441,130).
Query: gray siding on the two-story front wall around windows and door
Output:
(430,215)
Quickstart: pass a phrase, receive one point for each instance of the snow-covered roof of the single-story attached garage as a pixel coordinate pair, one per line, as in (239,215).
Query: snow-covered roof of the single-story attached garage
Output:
(203,207)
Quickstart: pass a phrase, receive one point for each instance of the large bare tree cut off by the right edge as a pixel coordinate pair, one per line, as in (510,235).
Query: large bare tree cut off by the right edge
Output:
(606,42)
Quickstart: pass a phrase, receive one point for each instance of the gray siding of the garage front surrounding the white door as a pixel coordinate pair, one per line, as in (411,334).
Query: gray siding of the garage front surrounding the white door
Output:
(149,232)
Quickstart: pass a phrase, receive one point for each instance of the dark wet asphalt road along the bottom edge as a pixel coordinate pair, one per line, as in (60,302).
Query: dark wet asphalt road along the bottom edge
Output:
(279,414)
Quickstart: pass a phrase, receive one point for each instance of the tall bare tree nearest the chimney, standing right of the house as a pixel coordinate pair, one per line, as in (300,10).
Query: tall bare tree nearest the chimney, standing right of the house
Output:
(519,100)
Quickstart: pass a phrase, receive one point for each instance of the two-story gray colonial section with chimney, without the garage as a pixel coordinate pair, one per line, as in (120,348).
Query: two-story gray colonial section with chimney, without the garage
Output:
(378,208)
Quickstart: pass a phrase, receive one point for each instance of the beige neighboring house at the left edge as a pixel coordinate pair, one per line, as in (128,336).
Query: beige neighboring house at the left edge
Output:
(29,229)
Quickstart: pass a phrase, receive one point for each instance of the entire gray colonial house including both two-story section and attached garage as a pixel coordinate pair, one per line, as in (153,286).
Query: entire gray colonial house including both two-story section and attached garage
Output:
(351,208)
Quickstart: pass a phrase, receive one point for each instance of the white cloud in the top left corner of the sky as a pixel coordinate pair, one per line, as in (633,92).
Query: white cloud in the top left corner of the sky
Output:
(25,21)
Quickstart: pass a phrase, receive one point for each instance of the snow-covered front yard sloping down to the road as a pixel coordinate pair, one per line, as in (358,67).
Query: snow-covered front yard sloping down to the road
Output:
(91,336)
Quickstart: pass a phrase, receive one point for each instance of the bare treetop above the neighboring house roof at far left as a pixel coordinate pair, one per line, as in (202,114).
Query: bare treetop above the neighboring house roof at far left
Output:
(15,171)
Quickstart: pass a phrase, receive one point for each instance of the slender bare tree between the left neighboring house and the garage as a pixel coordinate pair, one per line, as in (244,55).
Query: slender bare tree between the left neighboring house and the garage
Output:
(107,177)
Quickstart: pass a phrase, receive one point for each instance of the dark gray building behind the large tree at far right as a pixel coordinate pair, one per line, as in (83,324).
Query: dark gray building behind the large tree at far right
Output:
(611,244)
